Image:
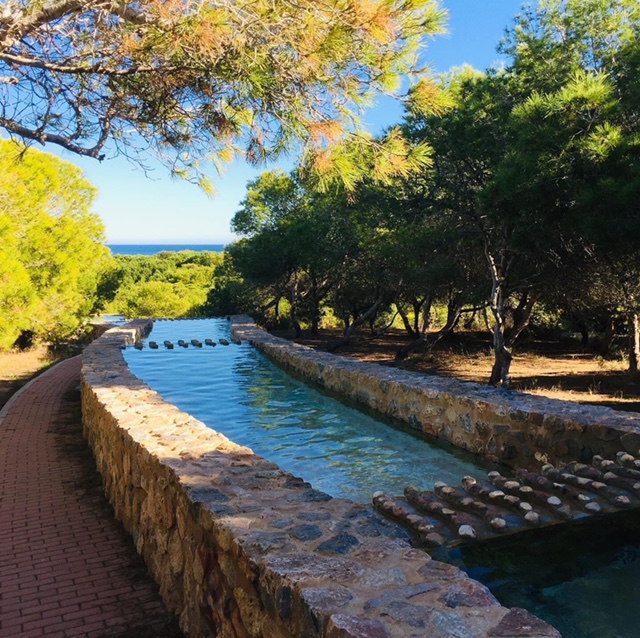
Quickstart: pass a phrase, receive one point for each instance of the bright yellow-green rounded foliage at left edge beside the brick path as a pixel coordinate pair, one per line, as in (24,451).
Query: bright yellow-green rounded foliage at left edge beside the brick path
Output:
(51,250)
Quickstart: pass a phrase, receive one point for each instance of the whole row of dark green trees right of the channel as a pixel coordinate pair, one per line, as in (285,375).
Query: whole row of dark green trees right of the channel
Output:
(531,197)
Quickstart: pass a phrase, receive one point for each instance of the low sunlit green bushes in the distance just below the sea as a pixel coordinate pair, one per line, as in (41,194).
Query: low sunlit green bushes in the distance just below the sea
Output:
(168,285)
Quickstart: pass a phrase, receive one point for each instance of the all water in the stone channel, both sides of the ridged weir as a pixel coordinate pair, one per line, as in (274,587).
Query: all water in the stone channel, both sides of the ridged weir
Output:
(581,579)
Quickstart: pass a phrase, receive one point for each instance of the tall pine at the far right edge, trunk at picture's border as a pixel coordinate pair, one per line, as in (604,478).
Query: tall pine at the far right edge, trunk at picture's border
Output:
(573,161)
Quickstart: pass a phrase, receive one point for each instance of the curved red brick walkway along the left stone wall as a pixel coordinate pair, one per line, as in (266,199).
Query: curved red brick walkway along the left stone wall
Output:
(67,567)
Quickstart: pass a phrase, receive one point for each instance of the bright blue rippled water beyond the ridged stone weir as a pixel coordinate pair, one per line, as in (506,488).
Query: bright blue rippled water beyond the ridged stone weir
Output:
(339,450)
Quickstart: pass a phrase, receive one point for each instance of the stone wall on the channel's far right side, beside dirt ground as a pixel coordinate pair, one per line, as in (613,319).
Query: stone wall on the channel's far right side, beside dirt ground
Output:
(514,428)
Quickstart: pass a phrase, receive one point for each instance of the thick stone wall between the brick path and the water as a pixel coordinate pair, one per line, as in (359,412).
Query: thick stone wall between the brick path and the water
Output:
(242,549)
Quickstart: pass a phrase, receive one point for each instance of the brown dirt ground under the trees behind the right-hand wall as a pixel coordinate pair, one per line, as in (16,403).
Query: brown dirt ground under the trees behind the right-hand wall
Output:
(557,369)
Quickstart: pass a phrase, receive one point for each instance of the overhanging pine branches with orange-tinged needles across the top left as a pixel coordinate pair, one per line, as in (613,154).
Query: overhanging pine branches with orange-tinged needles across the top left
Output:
(202,79)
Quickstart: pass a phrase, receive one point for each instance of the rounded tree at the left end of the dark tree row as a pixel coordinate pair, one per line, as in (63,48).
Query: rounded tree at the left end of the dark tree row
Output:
(292,246)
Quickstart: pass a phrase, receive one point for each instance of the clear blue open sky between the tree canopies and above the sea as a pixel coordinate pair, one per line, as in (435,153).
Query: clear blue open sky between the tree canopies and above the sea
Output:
(156,209)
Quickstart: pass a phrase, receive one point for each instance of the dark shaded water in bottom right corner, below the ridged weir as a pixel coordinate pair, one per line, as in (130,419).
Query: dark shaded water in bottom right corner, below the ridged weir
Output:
(582,579)
